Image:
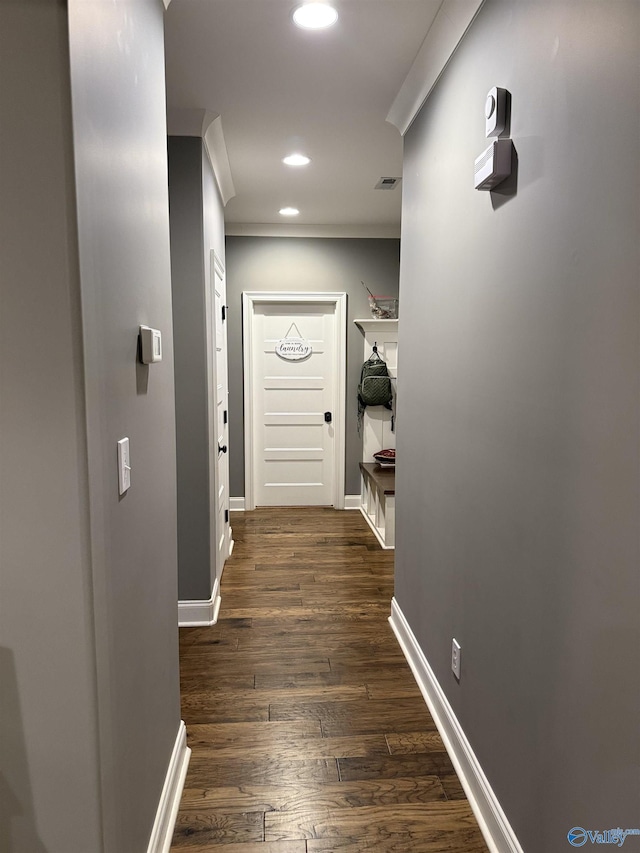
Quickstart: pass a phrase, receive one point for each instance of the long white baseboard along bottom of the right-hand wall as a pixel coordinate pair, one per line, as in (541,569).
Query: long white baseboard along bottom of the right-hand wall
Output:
(493,822)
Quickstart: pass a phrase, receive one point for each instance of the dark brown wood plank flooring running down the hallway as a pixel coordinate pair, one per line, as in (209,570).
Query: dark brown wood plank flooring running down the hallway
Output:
(308,732)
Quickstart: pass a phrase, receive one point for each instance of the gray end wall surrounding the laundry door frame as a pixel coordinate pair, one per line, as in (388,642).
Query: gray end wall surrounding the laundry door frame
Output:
(305,264)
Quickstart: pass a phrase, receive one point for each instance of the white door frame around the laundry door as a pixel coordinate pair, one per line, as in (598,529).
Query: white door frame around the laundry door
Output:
(339,301)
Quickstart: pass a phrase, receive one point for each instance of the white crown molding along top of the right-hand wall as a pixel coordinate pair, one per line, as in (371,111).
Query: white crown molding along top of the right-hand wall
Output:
(445,34)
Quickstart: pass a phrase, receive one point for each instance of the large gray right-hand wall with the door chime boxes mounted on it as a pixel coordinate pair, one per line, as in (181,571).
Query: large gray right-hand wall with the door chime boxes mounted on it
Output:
(517,480)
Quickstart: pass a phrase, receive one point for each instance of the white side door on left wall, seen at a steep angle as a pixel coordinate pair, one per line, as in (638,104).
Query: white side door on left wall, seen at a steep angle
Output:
(221,531)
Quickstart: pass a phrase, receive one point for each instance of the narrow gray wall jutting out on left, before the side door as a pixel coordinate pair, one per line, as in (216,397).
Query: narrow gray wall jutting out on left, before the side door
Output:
(197,226)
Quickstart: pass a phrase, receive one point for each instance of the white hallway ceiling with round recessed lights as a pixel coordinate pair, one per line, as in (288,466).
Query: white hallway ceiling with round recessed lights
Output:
(280,89)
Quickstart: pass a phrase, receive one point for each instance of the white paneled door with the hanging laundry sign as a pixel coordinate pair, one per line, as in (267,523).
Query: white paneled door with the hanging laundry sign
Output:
(295,455)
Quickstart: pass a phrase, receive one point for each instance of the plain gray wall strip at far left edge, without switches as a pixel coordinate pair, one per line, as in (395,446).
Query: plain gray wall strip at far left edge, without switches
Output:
(49,787)
